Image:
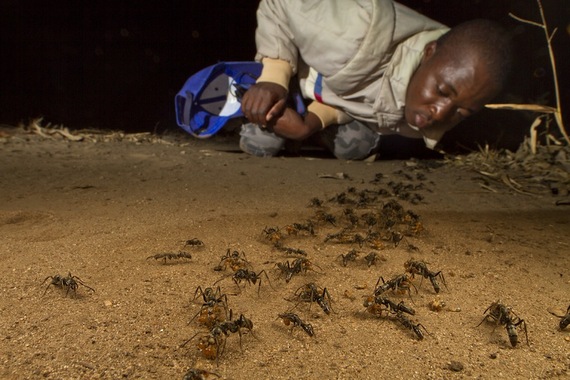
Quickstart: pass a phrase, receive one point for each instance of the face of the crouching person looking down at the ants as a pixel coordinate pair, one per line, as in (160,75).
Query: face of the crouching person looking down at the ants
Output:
(447,88)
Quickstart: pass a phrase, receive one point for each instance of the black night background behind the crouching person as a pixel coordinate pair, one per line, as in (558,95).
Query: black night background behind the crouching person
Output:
(118,64)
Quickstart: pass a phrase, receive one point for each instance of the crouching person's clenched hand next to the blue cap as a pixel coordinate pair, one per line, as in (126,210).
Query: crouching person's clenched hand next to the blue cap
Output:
(264,102)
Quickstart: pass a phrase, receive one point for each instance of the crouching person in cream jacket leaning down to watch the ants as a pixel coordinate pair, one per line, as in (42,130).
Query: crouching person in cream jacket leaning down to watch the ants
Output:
(371,68)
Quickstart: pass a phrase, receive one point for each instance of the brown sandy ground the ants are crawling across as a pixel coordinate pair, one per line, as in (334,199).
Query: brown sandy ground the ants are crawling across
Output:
(99,210)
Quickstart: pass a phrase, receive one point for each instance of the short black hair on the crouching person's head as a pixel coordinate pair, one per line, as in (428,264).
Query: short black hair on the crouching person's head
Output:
(492,41)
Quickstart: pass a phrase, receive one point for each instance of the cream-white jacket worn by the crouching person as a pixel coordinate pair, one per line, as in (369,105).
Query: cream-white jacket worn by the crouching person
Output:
(366,50)
